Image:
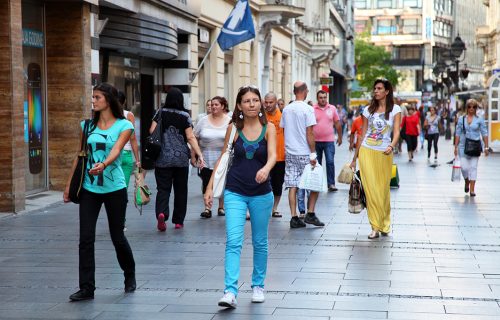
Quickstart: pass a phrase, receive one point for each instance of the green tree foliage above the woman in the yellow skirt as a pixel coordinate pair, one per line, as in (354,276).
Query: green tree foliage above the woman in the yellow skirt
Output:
(373,62)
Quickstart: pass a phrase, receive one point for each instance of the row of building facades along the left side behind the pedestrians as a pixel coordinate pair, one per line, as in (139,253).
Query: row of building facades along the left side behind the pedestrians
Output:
(56,50)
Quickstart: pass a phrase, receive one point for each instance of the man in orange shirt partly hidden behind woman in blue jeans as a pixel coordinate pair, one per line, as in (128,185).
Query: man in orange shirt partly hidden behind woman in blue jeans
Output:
(277,174)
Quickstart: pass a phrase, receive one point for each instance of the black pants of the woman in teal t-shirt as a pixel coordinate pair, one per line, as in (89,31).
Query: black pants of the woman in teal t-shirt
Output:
(115,204)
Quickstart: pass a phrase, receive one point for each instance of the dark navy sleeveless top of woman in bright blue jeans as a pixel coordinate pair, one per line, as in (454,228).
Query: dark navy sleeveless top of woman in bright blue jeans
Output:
(249,157)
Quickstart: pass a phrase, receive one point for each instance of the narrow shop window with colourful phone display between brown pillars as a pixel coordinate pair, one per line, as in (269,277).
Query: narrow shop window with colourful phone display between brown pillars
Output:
(35,106)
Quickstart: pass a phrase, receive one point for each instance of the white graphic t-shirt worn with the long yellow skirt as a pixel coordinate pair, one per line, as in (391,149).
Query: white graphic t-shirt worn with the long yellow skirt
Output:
(378,134)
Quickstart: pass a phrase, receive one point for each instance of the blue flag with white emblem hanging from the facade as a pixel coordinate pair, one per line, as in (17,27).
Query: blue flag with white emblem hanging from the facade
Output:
(238,26)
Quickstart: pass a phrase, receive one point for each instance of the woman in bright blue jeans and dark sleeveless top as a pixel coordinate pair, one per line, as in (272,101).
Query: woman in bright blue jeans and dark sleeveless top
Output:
(247,188)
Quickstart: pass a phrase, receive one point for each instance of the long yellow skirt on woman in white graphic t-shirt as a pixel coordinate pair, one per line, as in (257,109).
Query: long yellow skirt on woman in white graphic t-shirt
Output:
(375,168)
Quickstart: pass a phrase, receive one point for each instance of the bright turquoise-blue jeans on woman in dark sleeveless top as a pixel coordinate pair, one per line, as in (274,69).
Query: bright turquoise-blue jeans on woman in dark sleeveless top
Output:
(260,208)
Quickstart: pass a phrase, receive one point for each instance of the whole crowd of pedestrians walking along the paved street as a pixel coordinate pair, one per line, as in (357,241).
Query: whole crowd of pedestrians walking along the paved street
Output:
(273,142)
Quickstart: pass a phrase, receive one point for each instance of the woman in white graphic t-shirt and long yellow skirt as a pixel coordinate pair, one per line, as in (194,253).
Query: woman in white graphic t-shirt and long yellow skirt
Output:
(381,124)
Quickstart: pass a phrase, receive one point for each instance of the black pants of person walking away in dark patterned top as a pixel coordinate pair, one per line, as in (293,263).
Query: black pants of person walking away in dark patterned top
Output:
(165,178)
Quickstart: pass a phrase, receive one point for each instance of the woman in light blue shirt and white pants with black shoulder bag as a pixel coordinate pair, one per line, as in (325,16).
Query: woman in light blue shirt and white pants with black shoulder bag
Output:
(470,128)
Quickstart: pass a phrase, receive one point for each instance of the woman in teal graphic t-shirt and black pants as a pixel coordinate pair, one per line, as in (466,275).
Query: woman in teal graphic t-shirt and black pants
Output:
(104,184)
